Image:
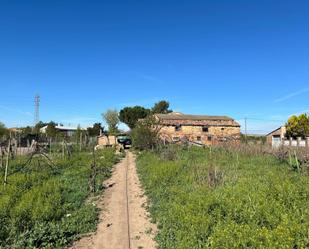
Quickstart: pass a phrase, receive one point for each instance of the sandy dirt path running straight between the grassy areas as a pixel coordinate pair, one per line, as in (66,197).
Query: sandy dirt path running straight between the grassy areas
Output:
(123,220)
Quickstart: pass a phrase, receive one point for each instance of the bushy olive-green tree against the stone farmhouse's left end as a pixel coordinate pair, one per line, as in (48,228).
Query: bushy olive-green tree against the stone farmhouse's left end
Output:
(145,135)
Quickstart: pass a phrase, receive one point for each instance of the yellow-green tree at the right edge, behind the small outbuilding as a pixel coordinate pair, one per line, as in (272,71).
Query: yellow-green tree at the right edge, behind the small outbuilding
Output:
(298,126)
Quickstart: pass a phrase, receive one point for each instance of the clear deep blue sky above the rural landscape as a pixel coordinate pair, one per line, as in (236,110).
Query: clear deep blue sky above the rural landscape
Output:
(237,58)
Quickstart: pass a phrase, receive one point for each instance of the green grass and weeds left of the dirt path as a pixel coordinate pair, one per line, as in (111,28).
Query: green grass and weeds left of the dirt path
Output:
(46,207)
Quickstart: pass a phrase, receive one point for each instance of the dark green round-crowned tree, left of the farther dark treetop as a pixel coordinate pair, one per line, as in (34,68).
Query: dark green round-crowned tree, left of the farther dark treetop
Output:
(130,115)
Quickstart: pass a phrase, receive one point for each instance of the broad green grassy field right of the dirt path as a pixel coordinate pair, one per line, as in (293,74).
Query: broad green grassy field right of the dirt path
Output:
(202,198)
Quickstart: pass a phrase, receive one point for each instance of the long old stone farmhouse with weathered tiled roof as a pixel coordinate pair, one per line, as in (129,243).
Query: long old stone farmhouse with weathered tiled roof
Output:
(199,129)
